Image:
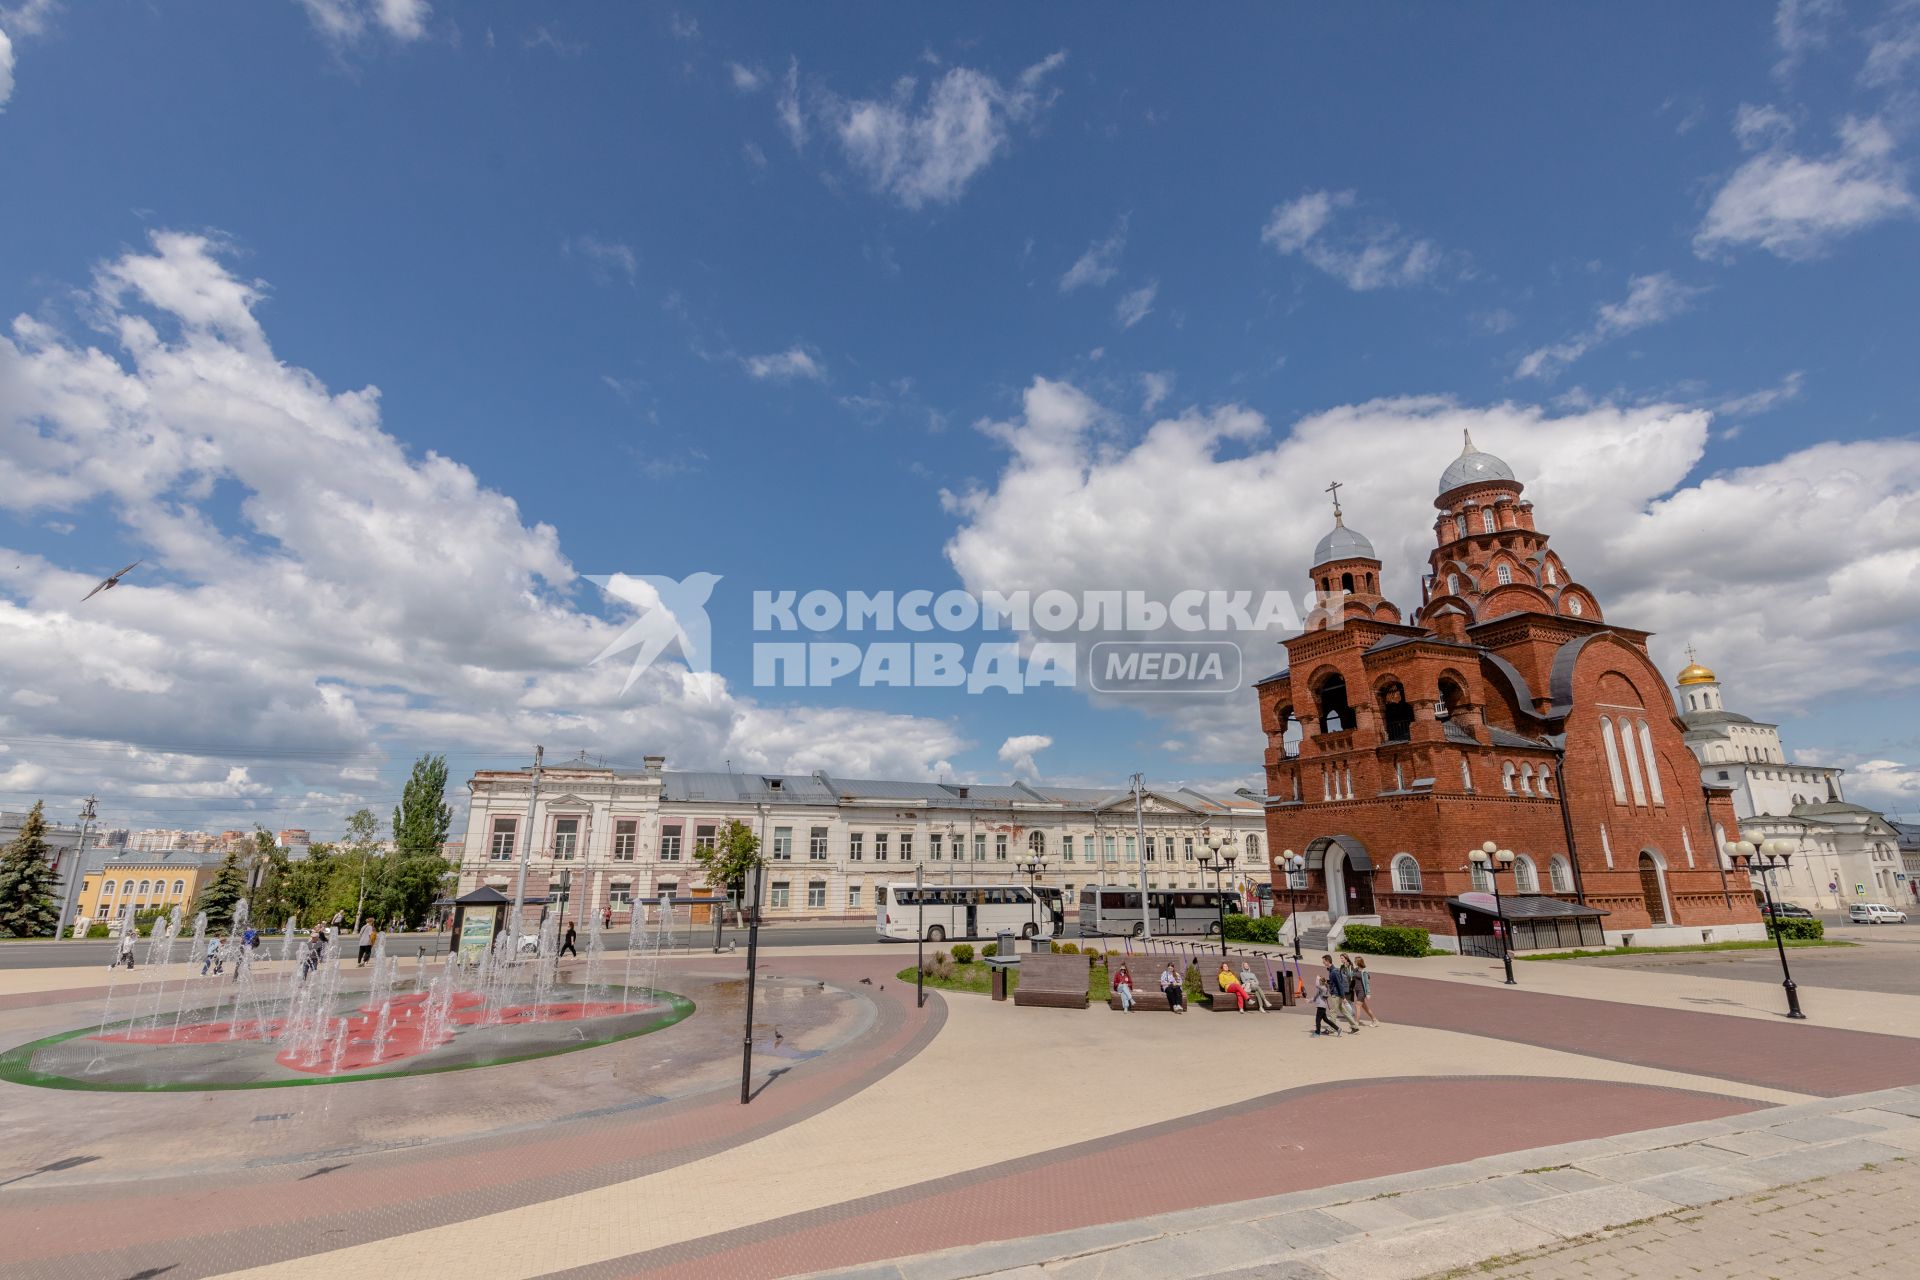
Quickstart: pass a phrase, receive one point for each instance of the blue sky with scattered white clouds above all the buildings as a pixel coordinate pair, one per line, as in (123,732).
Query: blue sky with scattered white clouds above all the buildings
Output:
(738,289)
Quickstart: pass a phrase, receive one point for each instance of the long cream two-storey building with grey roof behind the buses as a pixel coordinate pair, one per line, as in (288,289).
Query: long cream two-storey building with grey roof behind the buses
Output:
(834,843)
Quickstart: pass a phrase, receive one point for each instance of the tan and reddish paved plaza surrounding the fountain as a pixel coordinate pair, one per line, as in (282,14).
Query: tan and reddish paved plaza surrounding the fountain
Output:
(974,1137)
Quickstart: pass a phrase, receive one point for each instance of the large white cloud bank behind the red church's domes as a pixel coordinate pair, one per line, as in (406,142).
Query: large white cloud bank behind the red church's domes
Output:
(1742,563)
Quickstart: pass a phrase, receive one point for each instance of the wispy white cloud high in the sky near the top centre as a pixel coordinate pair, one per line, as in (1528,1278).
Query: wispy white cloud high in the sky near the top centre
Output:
(928,151)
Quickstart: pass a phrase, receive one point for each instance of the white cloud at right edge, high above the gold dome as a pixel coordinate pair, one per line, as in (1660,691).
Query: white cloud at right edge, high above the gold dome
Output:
(1796,208)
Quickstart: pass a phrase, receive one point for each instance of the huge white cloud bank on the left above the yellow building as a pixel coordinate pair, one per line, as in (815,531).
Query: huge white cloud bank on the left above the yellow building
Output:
(316,600)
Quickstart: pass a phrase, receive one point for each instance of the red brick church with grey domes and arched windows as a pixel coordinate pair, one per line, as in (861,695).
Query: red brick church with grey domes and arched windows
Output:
(1506,711)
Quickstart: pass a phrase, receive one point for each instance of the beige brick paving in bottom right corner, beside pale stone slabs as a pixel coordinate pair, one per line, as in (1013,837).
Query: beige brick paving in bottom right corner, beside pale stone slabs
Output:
(1861,1223)
